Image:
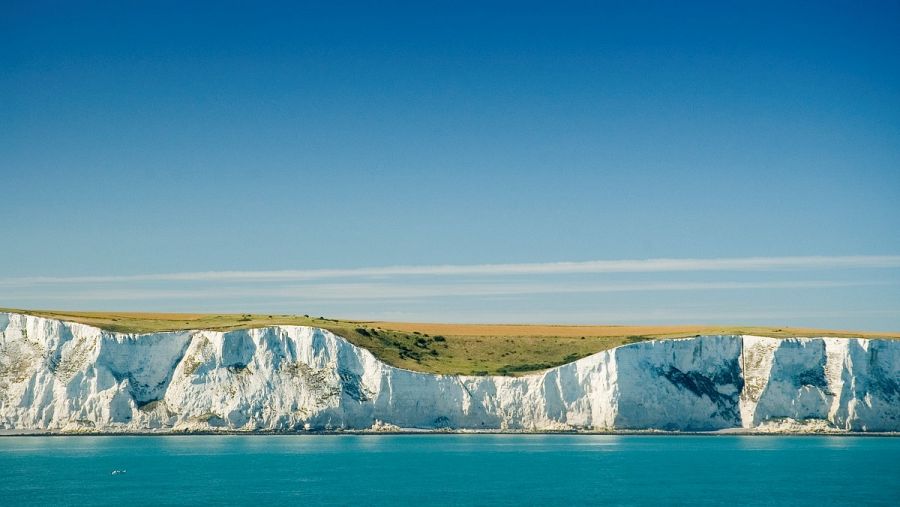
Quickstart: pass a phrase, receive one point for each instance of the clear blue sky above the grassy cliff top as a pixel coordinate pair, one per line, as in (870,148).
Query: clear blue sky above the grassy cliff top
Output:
(154,138)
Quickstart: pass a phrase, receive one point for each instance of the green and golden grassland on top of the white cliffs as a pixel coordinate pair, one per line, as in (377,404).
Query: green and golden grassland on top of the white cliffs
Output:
(479,349)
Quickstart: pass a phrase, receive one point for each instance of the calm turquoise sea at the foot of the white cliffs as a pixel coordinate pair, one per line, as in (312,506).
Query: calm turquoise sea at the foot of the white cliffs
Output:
(451,470)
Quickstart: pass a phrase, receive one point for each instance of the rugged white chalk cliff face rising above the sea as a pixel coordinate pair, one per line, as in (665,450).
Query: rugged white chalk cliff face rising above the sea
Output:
(63,376)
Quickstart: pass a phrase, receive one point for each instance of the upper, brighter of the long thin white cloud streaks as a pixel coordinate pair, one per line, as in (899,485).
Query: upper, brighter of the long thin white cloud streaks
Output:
(547,268)
